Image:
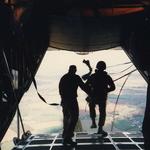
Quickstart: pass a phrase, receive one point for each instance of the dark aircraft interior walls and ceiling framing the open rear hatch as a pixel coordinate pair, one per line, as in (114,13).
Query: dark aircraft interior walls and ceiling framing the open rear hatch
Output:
(29,27)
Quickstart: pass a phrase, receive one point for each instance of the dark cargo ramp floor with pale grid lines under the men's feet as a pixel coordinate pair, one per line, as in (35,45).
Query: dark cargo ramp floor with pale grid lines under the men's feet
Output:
(86,141)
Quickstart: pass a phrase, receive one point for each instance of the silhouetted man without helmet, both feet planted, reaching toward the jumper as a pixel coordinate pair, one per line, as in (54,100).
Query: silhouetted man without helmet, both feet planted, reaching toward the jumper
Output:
(68,86)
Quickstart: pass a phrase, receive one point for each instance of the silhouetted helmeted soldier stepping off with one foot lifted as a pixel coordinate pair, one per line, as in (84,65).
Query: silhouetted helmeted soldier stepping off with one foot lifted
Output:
(101,83)
